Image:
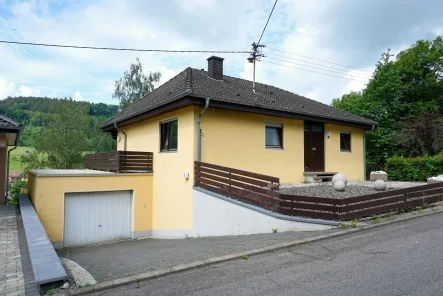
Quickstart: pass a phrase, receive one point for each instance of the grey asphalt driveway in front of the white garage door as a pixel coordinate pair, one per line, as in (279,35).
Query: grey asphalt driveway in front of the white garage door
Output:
(116,260)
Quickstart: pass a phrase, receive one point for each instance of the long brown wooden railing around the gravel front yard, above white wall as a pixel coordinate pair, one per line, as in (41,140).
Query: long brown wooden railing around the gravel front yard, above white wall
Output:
(263,191)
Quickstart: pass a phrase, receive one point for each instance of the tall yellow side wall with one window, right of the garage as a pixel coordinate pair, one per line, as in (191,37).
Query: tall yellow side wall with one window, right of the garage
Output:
(172,202)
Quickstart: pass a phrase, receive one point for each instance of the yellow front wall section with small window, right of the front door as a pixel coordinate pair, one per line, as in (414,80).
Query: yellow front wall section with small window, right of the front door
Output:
(351,164)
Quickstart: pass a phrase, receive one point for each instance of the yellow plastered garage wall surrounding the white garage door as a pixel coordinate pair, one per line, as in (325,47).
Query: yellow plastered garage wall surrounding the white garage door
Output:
(47,195)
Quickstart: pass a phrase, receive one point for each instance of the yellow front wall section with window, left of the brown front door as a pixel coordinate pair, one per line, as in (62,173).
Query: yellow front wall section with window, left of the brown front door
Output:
(237,139)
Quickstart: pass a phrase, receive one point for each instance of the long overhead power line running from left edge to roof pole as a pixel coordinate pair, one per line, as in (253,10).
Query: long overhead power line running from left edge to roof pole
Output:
(121,49)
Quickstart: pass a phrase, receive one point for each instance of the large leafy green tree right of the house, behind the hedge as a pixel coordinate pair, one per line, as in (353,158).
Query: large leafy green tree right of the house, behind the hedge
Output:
(405,96)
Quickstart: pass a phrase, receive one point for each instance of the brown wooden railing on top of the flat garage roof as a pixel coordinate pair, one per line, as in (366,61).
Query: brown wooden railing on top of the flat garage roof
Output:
(120,161)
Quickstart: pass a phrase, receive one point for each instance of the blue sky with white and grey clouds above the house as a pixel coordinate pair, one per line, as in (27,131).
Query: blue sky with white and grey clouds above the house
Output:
(303,37)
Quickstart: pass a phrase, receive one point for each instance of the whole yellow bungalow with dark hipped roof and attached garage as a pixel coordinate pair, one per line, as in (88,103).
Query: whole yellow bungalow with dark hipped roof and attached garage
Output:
(206,116)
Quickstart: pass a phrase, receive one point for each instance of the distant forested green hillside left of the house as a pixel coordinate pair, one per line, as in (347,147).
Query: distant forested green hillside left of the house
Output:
(35,113)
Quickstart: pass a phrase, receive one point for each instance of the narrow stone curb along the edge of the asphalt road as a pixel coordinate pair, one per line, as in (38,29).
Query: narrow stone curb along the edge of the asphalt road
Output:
(198,264)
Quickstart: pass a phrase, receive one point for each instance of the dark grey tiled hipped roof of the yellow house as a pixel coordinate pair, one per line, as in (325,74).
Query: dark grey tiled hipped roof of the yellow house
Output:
(196,83)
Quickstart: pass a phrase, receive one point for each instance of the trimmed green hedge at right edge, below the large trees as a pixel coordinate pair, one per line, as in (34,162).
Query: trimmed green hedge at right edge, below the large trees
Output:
(414,168)
